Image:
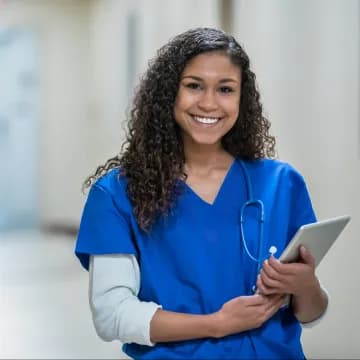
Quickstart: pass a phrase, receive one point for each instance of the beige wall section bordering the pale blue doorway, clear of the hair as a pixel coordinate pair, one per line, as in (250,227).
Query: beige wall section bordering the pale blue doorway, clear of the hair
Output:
(61,28)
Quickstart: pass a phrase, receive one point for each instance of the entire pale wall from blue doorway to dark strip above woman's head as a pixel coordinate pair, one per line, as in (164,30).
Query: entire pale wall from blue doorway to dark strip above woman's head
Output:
(91,53)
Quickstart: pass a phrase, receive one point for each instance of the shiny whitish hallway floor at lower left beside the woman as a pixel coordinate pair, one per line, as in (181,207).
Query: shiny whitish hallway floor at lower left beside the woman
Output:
(43,304)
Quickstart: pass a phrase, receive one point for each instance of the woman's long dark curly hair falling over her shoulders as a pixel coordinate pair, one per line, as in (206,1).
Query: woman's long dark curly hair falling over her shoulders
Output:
(153,158)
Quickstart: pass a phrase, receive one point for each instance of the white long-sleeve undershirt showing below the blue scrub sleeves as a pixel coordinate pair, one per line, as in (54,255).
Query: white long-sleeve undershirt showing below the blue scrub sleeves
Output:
(118,314)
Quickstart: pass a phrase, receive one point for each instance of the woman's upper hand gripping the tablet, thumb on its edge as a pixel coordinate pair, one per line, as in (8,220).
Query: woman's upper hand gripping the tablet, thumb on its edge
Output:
(294,278)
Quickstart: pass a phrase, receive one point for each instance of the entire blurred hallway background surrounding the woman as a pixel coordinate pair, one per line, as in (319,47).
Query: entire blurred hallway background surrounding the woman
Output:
(67,70)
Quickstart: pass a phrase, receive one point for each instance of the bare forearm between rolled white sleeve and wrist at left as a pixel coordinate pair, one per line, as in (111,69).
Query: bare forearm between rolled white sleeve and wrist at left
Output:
(172,326)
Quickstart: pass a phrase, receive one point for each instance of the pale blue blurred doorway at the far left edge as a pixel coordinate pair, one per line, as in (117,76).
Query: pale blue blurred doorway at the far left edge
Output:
(19,94)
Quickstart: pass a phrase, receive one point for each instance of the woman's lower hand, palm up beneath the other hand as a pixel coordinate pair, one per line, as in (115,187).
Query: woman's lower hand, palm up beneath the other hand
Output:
(246,312)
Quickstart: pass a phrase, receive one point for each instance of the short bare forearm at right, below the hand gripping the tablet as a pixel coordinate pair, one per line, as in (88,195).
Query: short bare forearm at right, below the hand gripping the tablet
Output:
(310,305)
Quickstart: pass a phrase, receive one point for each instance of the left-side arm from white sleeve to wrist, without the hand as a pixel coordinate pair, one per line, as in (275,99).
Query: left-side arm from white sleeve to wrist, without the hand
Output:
(119,314)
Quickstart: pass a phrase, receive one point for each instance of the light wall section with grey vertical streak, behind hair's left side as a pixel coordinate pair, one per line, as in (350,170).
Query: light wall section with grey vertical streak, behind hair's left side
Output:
(124,37)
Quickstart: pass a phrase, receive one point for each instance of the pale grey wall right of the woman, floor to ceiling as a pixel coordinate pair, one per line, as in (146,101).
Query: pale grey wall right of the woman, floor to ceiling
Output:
(306,57)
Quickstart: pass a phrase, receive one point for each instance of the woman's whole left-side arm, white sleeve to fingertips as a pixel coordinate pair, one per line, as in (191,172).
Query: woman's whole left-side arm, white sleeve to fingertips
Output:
(119,314)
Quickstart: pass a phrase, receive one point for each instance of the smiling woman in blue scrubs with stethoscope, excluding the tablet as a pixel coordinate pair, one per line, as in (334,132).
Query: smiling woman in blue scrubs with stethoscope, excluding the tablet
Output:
(179,268)
